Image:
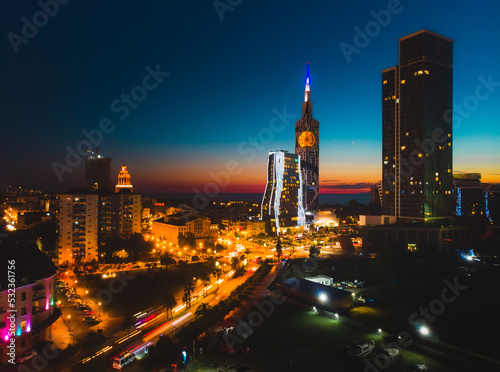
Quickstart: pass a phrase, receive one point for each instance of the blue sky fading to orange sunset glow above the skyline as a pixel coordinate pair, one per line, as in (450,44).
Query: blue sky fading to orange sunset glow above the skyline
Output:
(230,76)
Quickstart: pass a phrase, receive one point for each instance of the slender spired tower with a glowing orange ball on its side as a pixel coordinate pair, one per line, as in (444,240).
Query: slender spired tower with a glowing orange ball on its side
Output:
(307,146)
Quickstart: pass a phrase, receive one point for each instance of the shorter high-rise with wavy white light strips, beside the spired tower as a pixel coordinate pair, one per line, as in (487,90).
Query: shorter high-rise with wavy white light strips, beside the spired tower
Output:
(282,203)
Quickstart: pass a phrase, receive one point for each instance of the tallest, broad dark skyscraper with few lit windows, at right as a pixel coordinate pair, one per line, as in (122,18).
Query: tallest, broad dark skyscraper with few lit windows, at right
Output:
(417,128)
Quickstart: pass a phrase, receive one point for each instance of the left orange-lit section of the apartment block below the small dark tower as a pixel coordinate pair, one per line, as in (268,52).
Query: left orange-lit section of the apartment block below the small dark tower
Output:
(78,228)
